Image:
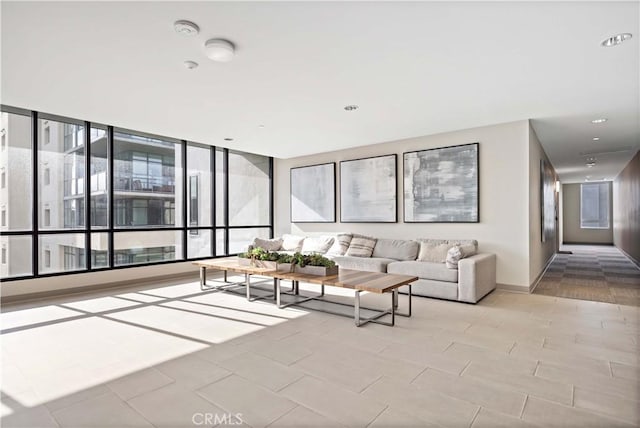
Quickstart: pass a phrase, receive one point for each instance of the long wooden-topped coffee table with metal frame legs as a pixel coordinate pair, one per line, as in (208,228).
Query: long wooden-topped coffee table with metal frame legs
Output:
(359,281)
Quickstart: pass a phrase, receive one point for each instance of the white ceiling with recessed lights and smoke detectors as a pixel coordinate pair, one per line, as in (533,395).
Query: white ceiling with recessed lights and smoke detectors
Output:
(414,68)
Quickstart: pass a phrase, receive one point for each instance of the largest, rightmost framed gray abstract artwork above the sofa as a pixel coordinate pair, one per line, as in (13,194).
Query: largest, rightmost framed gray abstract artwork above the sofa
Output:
(441,185)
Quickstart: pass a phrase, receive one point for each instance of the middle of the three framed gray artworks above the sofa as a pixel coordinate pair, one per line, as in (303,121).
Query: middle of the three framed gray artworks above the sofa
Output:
(368,190)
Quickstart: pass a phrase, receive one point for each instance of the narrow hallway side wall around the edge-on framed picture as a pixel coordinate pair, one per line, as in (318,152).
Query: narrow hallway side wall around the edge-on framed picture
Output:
(540,253)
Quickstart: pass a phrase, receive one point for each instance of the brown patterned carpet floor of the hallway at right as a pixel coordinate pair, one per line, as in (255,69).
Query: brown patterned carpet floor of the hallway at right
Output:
(592,272)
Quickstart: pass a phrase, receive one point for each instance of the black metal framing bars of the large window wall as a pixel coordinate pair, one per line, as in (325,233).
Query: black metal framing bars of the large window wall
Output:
(87,228)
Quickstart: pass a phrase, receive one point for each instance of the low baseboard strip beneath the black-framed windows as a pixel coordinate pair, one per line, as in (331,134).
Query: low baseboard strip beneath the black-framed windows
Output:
(87,289)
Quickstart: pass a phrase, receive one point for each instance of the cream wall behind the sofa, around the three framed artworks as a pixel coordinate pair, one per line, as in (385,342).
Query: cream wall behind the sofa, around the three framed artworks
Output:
(504,200)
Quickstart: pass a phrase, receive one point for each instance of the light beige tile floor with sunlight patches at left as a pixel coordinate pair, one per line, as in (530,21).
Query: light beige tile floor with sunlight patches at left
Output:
(173,356)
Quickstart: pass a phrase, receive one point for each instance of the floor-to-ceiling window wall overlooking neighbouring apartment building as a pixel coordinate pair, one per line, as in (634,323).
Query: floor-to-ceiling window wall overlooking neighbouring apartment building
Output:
(79,196)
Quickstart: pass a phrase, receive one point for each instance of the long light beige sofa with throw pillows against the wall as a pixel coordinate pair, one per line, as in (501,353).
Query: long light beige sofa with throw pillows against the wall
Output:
(466,278)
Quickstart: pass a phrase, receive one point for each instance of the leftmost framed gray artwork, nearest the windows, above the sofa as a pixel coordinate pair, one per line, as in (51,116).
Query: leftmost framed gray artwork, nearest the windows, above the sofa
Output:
(313,194)
